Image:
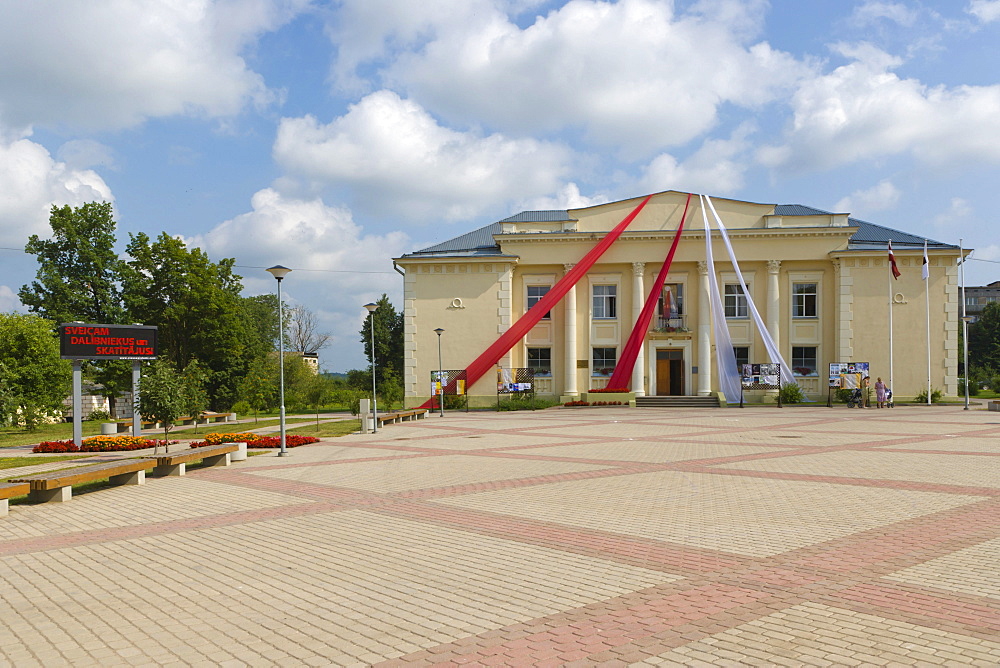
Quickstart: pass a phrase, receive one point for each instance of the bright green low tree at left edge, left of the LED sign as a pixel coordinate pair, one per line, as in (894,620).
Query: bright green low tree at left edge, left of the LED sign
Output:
(36,380)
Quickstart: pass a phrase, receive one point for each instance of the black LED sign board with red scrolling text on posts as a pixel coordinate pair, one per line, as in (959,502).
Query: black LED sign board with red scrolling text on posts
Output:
(80,341)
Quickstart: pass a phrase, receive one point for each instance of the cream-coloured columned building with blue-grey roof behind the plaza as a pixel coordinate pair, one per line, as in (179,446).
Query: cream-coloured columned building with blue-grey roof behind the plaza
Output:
(820,281)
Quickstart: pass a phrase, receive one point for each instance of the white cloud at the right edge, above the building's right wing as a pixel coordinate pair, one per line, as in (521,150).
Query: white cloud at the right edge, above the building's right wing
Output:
(864,111)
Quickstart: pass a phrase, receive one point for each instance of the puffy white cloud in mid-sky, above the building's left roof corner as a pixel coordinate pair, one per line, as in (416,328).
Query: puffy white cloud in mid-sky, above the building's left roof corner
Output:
(399,161)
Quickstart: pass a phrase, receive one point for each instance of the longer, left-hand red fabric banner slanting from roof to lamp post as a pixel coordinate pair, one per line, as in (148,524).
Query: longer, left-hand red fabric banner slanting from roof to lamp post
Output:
(488,359)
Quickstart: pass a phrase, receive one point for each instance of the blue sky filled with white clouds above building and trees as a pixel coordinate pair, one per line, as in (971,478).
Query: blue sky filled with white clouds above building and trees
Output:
(332,136)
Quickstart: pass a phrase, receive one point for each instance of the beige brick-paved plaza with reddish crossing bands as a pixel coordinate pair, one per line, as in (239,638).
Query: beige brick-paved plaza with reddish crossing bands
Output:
(590,536)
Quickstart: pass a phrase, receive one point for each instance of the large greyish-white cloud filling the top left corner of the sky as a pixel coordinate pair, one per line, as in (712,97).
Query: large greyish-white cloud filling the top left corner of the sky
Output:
(112,63)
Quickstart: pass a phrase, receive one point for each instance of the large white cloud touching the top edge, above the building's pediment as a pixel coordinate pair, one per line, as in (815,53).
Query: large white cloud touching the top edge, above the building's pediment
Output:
(631,74)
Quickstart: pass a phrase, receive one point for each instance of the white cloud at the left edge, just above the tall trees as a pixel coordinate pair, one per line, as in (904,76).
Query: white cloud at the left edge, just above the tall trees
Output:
(31,182)
